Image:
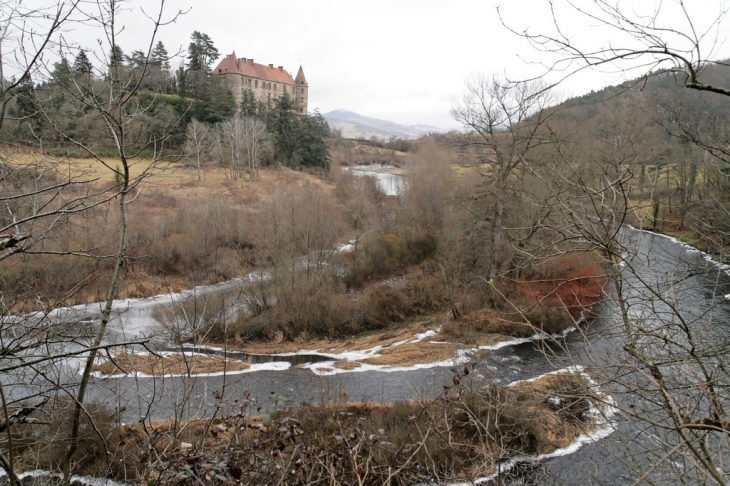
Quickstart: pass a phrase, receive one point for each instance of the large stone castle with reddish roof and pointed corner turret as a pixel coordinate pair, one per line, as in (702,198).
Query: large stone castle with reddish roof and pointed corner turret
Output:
(266,82)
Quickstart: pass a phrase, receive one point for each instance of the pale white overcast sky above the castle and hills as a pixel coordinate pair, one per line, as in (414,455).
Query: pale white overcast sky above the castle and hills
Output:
(401,60)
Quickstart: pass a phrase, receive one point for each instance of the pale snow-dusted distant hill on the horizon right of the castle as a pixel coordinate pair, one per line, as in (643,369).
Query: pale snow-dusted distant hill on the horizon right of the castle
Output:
(358,126)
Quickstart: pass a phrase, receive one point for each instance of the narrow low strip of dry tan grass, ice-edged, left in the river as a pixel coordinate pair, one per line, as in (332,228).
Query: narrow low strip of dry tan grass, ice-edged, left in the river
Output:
(176,364)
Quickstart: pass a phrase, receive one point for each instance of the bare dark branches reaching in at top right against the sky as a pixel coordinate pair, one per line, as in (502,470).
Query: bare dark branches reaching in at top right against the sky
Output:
(645,40)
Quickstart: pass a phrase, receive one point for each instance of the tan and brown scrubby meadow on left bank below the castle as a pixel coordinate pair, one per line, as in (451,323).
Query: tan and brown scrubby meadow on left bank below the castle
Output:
(182,233)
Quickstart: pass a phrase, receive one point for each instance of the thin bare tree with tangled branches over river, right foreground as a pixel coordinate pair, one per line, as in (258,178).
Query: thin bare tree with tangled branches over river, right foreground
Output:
(667,366)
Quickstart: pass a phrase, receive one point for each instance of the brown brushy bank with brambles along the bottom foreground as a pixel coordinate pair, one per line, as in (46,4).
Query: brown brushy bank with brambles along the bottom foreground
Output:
(463,434)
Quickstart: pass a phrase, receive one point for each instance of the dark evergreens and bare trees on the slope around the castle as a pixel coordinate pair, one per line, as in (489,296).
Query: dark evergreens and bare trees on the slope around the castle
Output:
(208,122)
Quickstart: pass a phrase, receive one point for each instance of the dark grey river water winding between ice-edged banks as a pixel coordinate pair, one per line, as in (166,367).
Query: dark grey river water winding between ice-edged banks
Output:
(683,276)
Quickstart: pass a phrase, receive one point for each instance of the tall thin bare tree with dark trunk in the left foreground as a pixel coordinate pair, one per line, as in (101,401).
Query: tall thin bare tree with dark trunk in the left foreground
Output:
(113,101)
